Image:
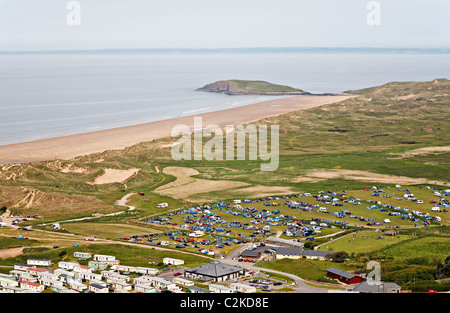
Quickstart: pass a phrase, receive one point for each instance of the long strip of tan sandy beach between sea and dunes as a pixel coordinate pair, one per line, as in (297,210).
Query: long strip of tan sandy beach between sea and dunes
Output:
(68,147)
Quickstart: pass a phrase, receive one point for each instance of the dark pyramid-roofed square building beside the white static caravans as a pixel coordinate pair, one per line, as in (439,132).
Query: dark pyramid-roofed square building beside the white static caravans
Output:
(214,271)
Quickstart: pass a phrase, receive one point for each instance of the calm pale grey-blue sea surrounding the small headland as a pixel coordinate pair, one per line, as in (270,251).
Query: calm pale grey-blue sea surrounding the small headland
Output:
(44,95)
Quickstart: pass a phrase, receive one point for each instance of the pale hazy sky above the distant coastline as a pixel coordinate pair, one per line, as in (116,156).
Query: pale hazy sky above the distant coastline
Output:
(42,24)
